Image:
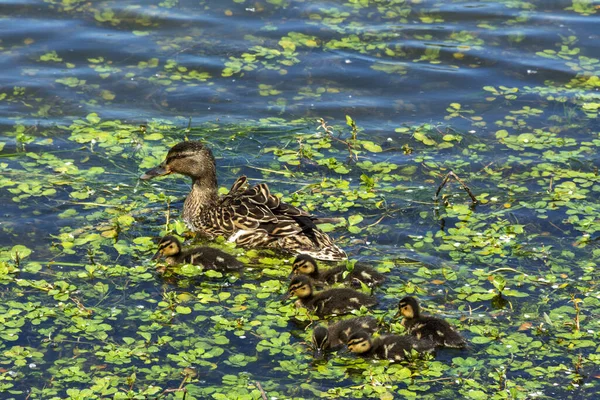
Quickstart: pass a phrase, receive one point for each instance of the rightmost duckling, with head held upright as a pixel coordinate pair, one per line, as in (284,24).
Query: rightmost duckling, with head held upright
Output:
(427,327)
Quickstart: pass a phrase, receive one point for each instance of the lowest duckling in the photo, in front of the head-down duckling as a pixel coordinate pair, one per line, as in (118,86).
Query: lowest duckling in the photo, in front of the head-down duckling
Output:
(389,347)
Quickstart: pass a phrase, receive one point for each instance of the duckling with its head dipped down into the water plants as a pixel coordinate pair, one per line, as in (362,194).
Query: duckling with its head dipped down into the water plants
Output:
(335,335)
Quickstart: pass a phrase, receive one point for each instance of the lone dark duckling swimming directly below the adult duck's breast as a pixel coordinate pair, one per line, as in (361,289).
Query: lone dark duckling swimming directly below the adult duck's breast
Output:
(170,248)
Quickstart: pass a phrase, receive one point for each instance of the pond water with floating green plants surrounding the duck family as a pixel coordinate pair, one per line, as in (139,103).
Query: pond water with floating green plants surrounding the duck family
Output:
(353,109)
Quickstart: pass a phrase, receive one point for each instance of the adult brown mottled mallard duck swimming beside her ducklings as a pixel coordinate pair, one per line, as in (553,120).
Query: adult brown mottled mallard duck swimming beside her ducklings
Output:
(248,216)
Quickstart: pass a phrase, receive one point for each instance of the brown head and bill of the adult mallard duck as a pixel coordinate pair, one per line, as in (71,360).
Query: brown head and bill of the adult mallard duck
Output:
(192,159)
